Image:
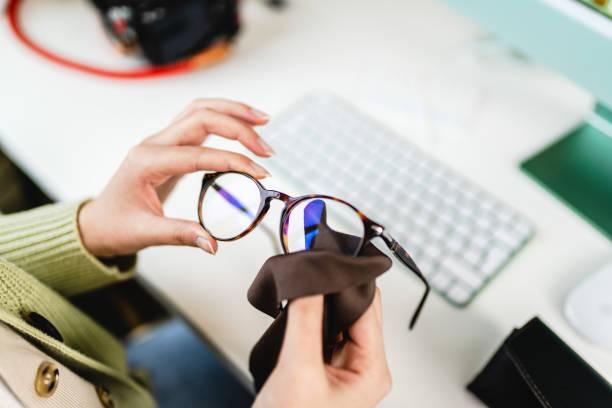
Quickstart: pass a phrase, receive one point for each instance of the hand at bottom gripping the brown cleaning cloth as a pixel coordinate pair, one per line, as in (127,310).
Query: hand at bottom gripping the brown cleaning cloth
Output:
(357,377)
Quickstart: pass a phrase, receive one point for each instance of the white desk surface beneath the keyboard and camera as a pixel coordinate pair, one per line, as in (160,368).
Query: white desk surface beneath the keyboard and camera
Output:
(415,65)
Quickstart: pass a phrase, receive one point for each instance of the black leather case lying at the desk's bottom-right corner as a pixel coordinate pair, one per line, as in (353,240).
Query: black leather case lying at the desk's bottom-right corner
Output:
(535,368)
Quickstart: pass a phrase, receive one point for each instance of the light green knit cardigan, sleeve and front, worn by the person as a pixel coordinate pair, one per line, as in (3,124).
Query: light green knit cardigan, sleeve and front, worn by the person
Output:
(42,259)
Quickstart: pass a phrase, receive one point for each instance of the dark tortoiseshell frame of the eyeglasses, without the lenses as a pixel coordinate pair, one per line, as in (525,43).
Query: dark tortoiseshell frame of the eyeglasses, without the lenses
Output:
(371,228)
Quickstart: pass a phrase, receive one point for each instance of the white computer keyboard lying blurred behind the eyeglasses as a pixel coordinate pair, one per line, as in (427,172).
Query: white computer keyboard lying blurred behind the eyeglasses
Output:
(458,234)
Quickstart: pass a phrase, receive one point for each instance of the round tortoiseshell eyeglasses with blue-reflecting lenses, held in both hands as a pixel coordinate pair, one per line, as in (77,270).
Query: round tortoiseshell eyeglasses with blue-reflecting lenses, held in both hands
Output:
(232,204)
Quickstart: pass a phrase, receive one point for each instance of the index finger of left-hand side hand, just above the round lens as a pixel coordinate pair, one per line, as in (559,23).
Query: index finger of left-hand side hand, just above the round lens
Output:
(157,163)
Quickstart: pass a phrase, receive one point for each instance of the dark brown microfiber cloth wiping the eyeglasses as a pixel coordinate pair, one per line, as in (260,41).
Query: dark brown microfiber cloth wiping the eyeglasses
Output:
(347,282)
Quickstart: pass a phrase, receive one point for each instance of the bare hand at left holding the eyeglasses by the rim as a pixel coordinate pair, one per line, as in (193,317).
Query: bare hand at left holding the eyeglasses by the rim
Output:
(128,215)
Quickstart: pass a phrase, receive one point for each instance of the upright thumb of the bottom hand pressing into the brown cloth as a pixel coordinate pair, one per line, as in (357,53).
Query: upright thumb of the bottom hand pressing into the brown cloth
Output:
(303,342)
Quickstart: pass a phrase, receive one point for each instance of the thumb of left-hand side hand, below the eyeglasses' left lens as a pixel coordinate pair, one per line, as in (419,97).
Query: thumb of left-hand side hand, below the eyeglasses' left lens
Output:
(172,231)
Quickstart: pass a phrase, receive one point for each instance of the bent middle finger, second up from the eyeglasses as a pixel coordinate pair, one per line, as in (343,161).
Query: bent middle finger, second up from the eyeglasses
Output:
(194,127)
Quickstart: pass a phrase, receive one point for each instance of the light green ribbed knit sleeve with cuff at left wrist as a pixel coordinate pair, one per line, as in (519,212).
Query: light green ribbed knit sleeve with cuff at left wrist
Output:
(45,242)
